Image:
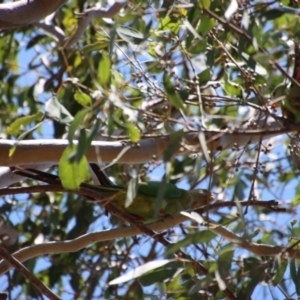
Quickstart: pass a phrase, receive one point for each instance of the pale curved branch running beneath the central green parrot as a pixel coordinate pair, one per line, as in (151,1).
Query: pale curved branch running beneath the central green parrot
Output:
(158,226)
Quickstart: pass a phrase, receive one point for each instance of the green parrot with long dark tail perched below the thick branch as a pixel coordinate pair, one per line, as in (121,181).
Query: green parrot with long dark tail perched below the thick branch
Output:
(144,204)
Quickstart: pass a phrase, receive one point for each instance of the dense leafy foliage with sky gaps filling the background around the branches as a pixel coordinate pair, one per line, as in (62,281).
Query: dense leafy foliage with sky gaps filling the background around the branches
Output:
(159,68)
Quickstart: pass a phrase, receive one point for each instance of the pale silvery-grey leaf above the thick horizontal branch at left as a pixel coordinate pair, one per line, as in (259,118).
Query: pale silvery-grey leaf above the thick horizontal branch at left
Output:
(56,111)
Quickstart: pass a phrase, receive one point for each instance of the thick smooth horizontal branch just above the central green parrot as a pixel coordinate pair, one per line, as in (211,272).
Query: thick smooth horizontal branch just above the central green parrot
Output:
(50,151)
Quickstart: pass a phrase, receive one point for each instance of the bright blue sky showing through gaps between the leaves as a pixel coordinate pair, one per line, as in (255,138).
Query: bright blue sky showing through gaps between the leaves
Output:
(282,221)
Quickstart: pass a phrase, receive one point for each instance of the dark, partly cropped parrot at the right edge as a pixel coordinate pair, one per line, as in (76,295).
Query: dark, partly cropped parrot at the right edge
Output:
(290,106)
